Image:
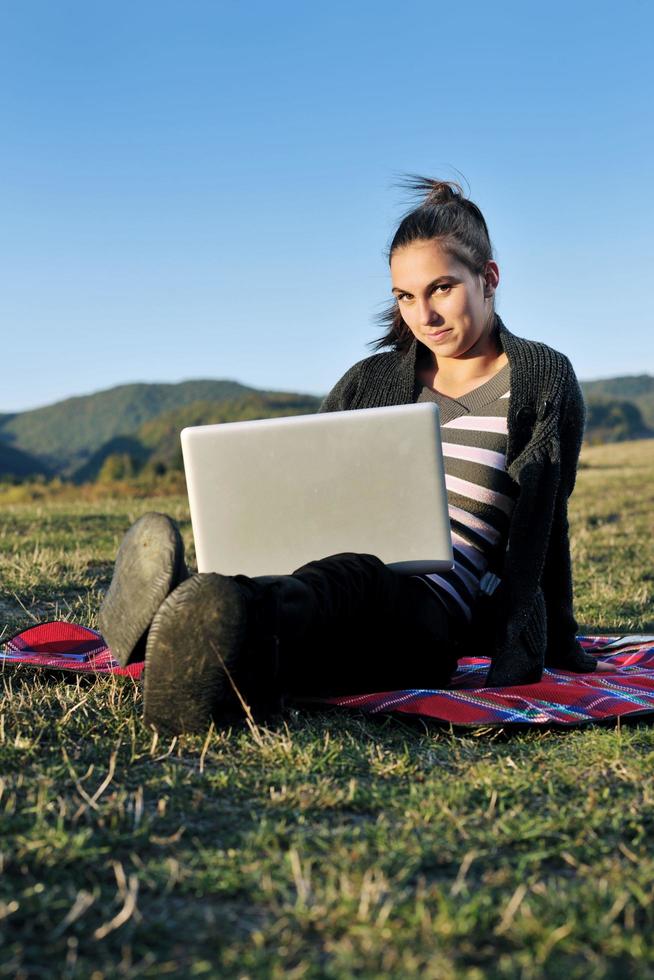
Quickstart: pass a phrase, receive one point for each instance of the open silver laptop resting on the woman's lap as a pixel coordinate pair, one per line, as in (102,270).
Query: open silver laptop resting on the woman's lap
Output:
(271,495)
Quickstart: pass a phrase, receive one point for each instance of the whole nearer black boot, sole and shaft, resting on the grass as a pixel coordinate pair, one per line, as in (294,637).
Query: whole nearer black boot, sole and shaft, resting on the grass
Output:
(213,650)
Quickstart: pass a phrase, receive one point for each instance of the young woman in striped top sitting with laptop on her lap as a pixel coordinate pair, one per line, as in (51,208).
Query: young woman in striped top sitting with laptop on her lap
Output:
(512,423)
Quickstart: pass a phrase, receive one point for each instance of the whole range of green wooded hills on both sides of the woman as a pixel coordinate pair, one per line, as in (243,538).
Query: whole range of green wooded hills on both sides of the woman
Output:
(129,427)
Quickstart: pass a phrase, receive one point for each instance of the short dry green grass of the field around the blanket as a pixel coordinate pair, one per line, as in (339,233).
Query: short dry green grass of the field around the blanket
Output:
(332,845)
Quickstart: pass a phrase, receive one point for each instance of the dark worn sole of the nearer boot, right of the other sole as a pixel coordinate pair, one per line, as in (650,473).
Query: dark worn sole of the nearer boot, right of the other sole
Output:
(192,650)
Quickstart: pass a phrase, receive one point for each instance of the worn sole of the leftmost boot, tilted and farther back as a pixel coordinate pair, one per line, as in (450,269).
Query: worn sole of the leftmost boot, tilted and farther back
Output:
(149,565)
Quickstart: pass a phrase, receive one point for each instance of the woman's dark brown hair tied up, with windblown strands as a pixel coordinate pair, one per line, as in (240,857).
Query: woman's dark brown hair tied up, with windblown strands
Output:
(445,215)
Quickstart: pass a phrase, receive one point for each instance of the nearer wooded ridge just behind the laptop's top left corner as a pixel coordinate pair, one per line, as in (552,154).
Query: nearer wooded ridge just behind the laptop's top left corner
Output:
(156,444)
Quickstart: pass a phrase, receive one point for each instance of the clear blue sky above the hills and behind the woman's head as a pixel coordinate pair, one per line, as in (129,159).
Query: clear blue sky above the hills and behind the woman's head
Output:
(206,189)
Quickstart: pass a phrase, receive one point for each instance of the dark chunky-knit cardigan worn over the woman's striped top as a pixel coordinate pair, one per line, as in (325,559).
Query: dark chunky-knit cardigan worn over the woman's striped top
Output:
(528,622)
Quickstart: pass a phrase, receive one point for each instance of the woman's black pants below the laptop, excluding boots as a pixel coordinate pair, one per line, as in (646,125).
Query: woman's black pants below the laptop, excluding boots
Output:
(353,625)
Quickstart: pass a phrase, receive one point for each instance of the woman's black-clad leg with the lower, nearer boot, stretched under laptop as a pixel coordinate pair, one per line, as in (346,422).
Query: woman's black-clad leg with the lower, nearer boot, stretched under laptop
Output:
(345,624)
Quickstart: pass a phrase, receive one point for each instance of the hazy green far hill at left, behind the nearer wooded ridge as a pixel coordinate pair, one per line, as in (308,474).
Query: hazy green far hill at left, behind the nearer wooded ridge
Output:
(63,437)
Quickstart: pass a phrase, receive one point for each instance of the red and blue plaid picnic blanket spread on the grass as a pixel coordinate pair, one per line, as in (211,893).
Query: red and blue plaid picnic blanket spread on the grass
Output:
(623,684)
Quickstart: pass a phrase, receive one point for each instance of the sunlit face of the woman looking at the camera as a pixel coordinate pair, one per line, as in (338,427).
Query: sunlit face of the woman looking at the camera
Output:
(445,305)
